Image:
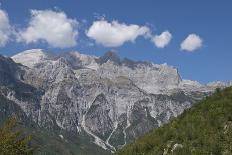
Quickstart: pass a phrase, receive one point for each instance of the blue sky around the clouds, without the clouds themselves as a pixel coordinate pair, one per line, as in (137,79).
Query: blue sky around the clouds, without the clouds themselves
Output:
(210,20)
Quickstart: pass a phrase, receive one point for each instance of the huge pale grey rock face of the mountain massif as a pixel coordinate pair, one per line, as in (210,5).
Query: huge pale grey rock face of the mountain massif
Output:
(110,99)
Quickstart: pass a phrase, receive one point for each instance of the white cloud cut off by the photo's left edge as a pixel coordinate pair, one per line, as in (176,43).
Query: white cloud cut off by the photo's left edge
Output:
(5,28)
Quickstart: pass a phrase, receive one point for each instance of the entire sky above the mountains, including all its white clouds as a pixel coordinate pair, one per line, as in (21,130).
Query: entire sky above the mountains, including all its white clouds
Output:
(192,35)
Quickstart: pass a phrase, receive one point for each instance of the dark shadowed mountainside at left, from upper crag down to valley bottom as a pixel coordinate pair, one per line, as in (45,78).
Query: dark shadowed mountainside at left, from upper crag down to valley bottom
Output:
(55,141)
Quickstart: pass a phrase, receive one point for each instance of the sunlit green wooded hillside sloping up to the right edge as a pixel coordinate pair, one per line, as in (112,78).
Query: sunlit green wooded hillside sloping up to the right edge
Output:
(204,129)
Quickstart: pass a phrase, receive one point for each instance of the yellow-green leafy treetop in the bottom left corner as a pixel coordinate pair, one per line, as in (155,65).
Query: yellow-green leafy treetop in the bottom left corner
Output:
(13,142)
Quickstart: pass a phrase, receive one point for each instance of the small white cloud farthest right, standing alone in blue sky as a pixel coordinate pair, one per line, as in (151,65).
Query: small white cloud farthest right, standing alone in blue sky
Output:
(191,43)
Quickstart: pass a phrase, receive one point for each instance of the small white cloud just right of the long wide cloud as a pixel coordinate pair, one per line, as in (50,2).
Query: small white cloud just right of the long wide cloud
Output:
(162,40)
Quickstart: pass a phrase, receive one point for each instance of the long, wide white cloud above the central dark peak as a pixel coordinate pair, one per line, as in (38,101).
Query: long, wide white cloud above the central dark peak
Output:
(114,34)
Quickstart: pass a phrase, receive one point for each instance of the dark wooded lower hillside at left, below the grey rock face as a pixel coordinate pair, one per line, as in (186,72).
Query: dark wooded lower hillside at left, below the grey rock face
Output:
(56,142)
